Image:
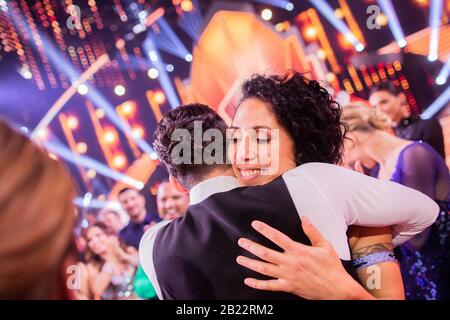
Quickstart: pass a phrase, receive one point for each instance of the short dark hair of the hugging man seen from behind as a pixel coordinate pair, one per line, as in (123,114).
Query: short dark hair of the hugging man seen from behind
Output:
(184,117)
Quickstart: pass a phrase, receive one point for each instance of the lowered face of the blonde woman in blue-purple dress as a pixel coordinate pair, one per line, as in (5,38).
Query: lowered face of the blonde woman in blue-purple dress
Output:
(354,150)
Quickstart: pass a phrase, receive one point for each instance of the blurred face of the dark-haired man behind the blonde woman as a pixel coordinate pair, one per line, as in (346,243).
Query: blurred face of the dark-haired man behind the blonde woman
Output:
(394,106)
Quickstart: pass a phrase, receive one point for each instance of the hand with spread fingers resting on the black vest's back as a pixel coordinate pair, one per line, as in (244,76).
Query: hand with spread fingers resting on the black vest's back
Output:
(311,272)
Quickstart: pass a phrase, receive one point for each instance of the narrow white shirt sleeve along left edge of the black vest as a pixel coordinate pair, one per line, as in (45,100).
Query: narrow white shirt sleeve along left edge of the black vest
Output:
(146,254)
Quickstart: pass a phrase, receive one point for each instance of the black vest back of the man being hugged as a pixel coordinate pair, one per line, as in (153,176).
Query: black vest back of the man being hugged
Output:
(195,256)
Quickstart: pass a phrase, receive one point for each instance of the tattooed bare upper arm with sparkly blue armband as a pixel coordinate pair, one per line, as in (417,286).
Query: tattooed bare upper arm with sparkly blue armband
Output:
(382,279)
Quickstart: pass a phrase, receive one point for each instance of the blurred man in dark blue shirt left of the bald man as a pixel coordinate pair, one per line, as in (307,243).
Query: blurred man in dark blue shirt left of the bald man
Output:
(133,202)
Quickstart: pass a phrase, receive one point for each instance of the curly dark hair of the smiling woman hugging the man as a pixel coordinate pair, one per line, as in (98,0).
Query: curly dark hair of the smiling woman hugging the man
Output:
(306,110)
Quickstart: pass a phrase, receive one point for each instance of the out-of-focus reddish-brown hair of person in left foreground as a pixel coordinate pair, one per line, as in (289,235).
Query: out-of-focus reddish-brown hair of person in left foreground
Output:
(36,242)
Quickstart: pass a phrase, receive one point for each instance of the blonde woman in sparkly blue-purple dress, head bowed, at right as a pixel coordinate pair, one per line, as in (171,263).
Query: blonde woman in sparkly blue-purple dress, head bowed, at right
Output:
(425,259)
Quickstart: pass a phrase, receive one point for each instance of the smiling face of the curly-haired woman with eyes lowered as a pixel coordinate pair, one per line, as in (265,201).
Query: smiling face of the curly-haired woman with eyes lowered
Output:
(259,149)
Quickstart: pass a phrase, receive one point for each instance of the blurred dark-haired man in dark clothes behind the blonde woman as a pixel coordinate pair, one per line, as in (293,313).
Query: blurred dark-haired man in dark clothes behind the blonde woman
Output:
(392,101)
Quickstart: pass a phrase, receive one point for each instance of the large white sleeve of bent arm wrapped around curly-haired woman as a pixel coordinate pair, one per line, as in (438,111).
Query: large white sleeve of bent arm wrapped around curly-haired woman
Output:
(370,202)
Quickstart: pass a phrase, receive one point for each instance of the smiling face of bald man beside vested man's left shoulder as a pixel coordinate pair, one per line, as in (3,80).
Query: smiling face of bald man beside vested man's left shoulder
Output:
(171,202)
